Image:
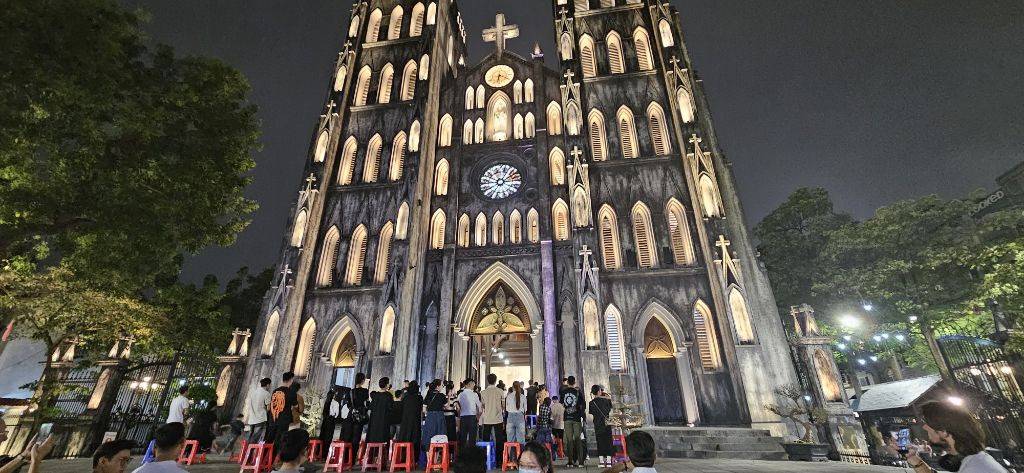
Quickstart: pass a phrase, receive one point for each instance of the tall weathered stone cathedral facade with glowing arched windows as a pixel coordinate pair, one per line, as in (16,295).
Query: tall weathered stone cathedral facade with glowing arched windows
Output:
(460,220)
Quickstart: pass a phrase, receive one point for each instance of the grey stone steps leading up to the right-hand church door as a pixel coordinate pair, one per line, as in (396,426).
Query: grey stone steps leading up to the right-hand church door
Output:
(716,443)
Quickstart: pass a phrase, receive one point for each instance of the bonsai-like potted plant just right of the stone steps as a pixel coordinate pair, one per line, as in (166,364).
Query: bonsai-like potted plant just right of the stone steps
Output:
(796,408)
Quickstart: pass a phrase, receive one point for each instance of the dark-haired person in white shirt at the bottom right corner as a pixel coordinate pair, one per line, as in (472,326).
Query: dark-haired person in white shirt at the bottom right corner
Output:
(960,434)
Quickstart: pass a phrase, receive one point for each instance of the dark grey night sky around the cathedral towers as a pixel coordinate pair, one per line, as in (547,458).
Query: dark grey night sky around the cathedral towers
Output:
(874,101)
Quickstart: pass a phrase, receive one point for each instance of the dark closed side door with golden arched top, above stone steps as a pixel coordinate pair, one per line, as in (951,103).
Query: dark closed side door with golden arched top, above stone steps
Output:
(663,376)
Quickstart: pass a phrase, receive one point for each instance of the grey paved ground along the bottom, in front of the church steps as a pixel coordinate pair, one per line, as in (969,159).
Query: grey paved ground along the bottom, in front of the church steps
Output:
(220,465)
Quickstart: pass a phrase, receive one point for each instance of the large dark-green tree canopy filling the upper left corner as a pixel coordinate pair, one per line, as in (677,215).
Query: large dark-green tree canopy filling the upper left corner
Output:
(115,158)
